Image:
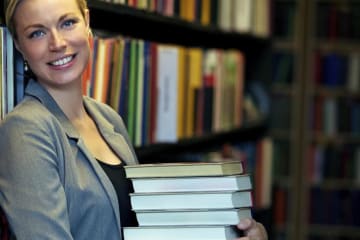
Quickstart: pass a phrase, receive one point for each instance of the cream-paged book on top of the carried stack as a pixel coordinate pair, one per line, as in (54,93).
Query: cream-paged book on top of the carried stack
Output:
(183,169)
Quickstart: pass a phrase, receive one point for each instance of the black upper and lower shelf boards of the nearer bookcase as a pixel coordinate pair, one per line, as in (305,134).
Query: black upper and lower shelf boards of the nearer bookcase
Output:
(143,24)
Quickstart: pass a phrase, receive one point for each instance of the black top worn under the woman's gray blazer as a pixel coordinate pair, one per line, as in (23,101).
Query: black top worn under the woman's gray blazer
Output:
(123,187)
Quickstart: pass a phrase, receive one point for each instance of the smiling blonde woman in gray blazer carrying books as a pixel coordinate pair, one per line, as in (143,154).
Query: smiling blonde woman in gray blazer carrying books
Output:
(61,174)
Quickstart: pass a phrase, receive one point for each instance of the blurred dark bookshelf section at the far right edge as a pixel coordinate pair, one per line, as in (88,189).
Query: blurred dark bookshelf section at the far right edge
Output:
(329,186)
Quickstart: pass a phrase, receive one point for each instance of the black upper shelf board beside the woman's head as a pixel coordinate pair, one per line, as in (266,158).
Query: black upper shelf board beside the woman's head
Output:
(153,26)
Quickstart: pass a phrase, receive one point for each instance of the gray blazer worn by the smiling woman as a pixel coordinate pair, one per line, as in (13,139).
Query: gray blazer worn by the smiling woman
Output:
(51,187)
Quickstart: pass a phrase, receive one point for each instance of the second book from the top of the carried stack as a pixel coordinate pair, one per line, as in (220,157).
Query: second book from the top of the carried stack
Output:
(183,184)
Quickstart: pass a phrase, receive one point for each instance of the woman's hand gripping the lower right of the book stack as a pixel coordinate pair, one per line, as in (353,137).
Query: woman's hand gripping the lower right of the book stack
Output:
(252,230)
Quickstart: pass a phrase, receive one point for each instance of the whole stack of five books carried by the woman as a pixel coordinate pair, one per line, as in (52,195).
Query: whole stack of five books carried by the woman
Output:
(189,200)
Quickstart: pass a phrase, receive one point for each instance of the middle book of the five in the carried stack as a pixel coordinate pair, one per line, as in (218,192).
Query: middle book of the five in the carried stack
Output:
(191,200)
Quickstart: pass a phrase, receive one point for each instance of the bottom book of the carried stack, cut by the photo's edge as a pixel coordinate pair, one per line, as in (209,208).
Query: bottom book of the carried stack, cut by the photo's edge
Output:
(220,232)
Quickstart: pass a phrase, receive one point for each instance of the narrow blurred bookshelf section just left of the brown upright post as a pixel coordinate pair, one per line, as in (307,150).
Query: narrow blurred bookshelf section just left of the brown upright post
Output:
(286,114)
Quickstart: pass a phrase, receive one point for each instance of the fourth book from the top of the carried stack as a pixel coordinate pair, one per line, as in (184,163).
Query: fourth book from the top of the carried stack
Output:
(231,216)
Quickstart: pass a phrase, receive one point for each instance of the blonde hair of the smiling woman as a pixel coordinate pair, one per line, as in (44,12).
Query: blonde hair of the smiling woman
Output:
(10,8)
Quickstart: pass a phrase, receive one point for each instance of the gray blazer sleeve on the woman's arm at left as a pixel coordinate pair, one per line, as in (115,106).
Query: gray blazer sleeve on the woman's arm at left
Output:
(31,193)
